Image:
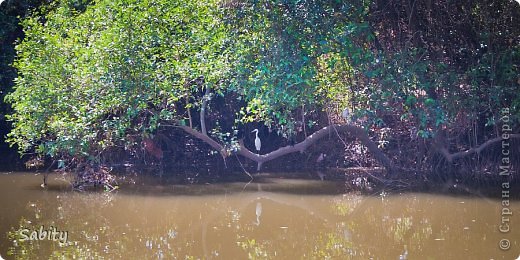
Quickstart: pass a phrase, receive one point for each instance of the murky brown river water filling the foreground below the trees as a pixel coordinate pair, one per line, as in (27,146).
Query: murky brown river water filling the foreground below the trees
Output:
(270,218)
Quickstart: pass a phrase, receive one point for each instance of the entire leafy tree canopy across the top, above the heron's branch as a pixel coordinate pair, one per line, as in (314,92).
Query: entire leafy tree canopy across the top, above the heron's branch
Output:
(94,75)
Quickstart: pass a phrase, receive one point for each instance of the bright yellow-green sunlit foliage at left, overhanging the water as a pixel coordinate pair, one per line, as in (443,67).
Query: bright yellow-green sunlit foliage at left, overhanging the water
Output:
(89,79)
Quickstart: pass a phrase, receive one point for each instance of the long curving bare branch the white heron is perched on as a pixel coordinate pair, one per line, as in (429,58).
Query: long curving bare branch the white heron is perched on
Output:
(356,131)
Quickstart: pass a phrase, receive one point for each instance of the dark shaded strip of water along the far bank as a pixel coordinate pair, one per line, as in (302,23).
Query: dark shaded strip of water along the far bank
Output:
(300,183)
